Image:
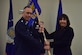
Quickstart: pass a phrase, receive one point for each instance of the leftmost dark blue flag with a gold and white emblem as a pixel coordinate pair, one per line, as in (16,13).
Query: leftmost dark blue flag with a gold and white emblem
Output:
(10,32)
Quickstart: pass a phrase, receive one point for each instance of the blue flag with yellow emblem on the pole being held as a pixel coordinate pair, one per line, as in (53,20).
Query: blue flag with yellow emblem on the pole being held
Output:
(34,5)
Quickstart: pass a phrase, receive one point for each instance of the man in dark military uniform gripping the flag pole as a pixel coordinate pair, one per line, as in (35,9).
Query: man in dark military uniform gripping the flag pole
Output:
(28,40)
